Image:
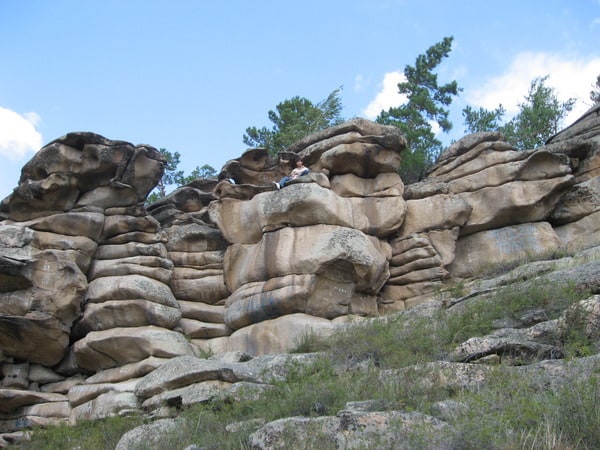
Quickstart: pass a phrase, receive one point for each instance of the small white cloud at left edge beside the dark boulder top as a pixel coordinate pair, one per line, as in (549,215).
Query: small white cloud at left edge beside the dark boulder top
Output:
(18,134)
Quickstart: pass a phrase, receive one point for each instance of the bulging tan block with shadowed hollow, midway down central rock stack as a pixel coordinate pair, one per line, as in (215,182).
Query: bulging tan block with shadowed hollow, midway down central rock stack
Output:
(323,270)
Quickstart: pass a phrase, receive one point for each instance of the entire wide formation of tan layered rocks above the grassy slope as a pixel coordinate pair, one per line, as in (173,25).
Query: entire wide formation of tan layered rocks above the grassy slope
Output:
(105,303)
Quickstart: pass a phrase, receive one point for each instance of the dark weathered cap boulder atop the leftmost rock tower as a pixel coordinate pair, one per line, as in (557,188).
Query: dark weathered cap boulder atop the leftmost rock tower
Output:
(82,169)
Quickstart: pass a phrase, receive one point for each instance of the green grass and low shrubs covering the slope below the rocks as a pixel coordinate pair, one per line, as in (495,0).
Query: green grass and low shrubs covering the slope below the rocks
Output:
(386,361)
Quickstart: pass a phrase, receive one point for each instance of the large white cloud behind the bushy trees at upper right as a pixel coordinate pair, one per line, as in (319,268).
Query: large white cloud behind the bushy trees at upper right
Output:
(570,78)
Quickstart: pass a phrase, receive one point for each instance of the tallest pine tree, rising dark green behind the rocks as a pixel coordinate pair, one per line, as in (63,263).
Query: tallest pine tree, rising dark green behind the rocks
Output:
(427,104)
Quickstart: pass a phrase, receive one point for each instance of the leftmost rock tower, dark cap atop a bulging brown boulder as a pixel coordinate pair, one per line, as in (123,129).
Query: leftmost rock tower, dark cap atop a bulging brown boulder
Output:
(54,222)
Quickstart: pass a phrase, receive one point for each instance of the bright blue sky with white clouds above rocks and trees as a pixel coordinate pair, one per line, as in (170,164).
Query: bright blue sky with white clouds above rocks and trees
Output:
(191,76)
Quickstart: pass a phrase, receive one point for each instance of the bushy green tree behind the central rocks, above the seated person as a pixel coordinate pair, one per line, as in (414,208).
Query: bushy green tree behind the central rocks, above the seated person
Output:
(293,120)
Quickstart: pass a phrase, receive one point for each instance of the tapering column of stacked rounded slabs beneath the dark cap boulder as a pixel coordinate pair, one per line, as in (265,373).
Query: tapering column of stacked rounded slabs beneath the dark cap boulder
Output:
(129,310)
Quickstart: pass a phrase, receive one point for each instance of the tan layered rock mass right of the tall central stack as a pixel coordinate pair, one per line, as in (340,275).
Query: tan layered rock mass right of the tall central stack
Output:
(485,203)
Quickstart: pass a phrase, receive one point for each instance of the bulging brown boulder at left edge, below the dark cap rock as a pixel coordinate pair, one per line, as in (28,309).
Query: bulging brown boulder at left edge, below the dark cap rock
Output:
(40,292)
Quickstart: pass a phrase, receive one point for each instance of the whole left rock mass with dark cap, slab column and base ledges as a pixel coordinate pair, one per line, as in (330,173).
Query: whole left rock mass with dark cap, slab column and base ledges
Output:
(74,231)
